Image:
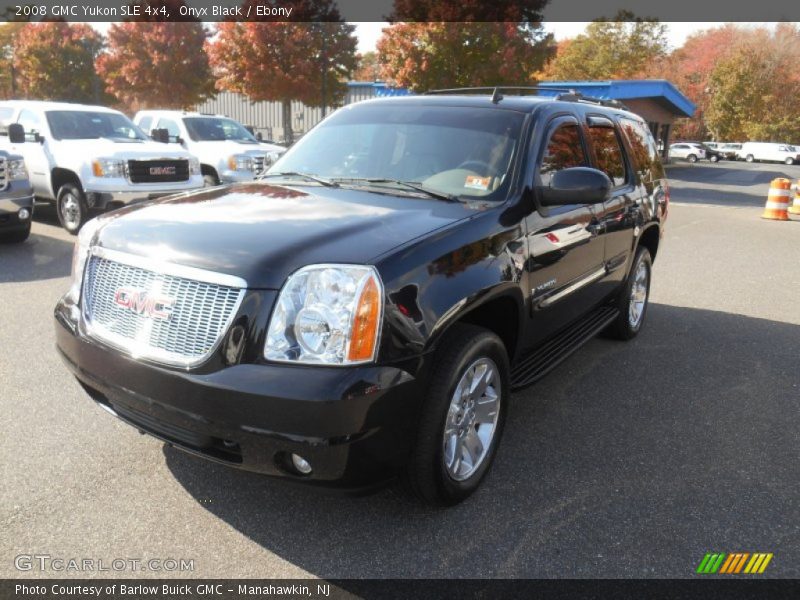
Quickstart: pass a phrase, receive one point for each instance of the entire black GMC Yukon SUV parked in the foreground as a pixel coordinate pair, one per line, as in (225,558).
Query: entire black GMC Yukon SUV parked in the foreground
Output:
(365,309)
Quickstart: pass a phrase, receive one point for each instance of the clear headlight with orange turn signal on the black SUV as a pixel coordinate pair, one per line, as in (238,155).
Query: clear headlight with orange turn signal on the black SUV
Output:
(327,314)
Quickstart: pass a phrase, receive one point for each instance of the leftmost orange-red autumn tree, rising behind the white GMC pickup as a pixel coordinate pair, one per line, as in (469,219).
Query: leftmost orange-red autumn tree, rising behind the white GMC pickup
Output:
(55,61)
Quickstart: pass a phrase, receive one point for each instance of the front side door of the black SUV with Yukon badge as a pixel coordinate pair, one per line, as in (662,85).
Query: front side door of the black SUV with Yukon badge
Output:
(565,254)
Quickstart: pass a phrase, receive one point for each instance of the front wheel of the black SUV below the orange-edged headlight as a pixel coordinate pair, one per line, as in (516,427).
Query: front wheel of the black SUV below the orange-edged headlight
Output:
(438,472)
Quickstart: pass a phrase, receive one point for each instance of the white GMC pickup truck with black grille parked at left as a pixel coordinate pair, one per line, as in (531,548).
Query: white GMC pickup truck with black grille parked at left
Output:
(89,158)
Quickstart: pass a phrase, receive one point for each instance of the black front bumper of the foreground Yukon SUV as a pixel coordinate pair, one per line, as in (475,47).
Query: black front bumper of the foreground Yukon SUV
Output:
(353,425)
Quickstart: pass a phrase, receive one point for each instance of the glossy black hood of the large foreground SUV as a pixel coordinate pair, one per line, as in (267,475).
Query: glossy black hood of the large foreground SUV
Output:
(262,233)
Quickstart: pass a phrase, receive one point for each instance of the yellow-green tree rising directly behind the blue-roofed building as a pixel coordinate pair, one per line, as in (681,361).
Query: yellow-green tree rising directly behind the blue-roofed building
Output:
(623,48)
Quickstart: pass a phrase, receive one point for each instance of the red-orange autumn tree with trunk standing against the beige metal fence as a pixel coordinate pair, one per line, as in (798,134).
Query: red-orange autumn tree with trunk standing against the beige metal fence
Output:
(308,61)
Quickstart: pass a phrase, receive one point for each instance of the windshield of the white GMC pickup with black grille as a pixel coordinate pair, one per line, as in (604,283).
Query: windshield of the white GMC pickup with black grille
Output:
(88,125)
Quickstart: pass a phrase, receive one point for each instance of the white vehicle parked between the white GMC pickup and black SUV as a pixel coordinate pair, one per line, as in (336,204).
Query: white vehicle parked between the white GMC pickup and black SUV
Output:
(228,152)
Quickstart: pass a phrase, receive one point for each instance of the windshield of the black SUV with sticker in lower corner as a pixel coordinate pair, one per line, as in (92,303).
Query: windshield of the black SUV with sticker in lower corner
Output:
(457,151)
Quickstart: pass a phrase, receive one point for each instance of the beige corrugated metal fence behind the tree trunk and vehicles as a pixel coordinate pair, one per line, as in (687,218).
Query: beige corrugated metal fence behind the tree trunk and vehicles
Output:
(267,117)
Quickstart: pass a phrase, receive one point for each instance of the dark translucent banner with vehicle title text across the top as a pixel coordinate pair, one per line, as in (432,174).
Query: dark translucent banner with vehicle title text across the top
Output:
(399,10)
